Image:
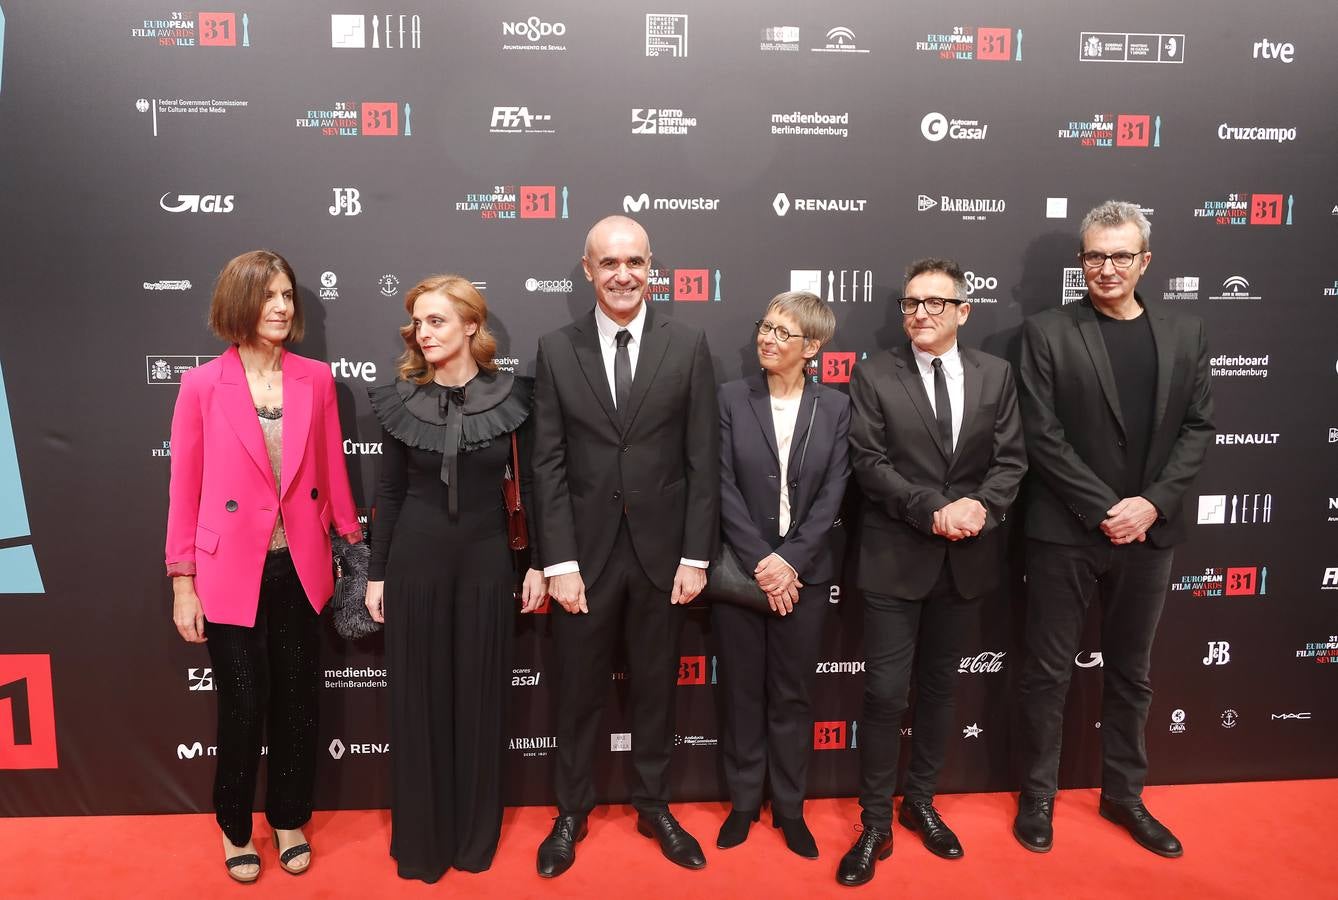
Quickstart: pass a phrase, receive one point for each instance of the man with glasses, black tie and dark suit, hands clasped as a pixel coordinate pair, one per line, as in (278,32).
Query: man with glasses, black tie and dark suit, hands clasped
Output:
(937,447)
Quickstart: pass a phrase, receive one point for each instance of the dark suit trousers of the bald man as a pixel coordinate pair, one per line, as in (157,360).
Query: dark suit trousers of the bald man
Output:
(623,604)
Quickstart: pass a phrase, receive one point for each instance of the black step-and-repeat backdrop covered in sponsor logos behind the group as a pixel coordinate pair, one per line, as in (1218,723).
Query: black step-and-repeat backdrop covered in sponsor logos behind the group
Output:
(766,146)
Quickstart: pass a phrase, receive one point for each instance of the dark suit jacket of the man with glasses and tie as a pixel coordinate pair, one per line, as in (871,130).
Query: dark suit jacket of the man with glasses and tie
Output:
(905,473)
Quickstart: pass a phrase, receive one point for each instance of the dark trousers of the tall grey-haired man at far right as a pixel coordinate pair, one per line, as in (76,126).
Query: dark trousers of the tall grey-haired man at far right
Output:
(1062,582)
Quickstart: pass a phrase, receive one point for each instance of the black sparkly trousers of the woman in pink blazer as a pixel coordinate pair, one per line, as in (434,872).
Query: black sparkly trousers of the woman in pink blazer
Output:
(267,680)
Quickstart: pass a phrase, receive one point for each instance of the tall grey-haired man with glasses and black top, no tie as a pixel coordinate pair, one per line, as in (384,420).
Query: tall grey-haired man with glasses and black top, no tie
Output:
(1118,417)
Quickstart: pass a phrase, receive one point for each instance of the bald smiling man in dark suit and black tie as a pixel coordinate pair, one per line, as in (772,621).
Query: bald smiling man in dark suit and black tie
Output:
(627,481)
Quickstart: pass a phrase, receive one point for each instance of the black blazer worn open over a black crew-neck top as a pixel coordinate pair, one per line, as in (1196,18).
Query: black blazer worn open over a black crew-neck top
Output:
(1075,434)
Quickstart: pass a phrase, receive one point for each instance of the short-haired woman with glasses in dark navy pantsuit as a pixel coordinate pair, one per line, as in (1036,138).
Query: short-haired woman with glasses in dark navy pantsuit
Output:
(783,471)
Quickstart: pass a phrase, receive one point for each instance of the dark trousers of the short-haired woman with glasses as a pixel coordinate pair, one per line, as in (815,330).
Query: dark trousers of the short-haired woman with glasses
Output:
(767,673)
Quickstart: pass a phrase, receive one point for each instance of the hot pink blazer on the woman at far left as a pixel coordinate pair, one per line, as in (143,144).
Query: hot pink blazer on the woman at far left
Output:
(223,499)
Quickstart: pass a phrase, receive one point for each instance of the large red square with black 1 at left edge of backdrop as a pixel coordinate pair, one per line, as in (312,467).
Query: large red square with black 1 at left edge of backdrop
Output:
(27,713)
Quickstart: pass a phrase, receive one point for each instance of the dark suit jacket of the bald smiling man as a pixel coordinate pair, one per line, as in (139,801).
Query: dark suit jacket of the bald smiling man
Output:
(659,465)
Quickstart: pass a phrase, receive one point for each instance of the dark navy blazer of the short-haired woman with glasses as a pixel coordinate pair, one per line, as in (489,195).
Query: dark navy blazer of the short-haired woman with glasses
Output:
(750,477)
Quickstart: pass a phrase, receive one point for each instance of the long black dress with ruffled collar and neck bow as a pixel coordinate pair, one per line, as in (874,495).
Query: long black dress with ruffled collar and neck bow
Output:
(440,541)
